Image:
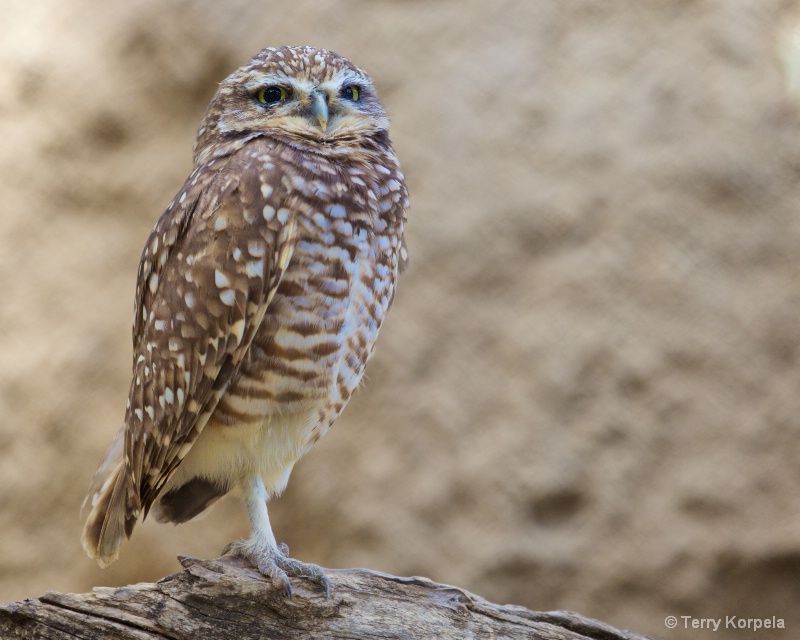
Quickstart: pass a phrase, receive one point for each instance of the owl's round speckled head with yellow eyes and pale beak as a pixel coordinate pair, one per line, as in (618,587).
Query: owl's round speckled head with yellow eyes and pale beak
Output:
(309,97)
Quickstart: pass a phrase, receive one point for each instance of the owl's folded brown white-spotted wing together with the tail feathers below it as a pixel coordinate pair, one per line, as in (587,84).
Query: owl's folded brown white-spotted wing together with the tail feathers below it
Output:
(207,274)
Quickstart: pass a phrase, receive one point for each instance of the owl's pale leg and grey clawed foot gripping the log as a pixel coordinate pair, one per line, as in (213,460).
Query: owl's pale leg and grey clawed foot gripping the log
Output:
(263,551)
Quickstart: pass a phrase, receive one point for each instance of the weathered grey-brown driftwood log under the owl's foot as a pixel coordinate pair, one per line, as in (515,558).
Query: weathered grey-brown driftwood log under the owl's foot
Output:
(226,598)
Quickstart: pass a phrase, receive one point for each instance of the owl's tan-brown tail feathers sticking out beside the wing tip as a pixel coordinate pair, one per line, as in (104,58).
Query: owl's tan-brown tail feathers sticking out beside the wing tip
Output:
(109,522)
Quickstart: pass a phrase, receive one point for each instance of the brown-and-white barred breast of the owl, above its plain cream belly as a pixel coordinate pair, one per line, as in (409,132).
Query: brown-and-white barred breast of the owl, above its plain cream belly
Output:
(320,328)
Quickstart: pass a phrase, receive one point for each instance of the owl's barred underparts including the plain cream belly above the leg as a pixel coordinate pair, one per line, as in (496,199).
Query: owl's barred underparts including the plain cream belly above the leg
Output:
(307,357)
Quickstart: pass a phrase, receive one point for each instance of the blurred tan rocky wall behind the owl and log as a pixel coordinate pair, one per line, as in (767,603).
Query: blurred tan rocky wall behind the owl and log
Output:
(587,395)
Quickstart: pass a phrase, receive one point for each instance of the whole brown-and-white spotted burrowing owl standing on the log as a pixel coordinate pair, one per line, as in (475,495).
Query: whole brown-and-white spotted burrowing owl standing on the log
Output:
(260,294)
